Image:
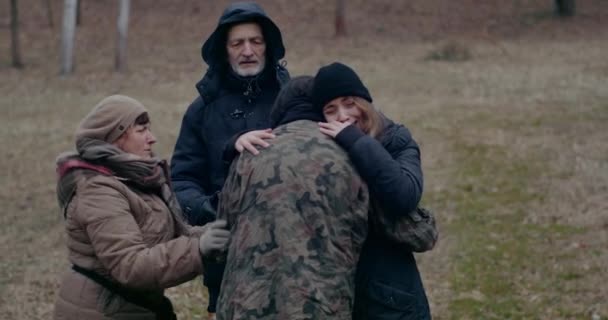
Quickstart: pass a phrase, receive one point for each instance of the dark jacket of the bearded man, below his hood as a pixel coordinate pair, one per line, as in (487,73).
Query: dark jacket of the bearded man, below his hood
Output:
(197,168)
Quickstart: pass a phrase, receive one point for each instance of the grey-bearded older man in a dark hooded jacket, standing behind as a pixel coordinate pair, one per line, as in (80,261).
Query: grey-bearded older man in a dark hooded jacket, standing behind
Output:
(243,78)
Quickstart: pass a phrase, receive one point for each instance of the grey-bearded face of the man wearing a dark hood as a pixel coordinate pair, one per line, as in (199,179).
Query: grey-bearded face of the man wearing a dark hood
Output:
(246,49)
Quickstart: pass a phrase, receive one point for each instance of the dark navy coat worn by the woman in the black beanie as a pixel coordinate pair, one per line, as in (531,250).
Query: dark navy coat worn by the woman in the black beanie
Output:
(388,283)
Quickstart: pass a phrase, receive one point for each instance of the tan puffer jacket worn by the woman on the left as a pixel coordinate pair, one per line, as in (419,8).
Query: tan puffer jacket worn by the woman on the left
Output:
(126,235)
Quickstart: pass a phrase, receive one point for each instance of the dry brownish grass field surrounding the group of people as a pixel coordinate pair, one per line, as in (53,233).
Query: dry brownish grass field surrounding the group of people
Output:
(514,136)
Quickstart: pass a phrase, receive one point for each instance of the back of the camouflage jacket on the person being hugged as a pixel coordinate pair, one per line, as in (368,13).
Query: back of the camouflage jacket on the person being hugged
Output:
(298,217)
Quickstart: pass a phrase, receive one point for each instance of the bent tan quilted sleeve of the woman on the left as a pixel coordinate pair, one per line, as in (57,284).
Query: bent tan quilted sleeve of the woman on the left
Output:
(104,213)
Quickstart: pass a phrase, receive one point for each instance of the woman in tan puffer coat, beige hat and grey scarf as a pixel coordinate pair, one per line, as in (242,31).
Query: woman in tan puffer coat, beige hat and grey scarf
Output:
(126,238)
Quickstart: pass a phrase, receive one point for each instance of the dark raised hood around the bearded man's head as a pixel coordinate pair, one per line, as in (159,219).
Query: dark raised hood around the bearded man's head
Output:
(214,49)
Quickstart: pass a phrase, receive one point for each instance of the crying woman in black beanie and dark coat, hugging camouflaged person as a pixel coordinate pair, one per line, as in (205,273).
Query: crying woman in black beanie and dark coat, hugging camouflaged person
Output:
(388,283)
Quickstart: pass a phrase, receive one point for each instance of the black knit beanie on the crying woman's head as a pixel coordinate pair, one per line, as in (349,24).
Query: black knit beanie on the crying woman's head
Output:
(337,80)
